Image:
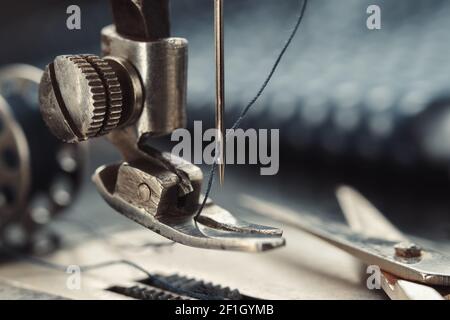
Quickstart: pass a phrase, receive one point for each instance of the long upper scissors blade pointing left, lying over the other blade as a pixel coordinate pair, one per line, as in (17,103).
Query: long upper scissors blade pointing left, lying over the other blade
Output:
(432,268)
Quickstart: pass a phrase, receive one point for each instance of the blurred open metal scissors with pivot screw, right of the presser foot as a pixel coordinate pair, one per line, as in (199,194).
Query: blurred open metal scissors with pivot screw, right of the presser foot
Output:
(408,271)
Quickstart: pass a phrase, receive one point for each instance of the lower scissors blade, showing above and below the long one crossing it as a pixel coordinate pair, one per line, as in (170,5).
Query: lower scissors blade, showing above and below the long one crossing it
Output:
(364,218)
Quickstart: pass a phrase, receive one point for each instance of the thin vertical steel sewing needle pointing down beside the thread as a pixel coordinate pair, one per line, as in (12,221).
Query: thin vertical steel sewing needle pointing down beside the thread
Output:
(220,86)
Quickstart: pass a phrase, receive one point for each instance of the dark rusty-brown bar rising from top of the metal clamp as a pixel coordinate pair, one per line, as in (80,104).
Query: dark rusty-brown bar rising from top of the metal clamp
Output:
(142,20)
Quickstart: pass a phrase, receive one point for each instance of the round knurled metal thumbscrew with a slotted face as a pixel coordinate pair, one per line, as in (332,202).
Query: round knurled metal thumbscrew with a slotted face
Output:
(84,96)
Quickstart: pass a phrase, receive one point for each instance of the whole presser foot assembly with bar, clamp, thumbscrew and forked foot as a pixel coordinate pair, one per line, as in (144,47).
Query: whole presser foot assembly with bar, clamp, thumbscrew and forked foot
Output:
(136,91)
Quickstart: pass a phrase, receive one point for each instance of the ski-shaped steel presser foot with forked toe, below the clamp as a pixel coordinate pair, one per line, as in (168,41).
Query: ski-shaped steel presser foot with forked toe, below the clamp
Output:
(150,196)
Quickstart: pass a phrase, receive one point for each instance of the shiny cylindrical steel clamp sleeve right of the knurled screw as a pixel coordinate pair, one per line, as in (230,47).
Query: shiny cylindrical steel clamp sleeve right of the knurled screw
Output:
(162,66)
